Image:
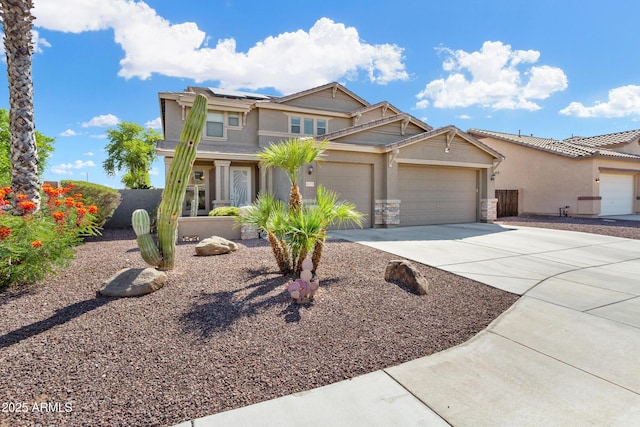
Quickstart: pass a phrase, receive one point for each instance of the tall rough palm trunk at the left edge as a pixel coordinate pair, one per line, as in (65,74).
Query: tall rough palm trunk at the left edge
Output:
(17,22)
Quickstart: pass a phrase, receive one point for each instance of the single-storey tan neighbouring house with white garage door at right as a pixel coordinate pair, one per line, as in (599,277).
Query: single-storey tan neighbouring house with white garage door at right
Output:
(594,176)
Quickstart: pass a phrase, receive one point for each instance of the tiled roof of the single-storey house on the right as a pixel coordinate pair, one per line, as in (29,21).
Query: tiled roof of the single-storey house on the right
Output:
(574,147)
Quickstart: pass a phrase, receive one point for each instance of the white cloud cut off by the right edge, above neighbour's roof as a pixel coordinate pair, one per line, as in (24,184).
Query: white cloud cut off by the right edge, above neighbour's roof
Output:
(623,101)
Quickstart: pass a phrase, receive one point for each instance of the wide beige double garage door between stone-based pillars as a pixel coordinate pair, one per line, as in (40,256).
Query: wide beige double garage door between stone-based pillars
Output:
(437,195)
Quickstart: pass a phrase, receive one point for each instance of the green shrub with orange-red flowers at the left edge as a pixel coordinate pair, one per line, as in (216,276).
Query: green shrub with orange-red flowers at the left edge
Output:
(34,244)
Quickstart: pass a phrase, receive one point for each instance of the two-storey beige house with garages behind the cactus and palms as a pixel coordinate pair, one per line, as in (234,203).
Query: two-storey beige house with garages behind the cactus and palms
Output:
(396,169)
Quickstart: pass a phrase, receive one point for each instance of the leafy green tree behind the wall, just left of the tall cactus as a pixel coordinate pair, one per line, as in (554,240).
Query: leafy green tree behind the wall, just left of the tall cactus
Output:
(131,148)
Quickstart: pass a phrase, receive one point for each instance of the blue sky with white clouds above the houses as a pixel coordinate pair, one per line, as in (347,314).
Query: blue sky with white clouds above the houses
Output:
(546,67)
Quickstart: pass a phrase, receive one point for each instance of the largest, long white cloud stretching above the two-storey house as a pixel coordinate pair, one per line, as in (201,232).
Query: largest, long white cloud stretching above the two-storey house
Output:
(288,62)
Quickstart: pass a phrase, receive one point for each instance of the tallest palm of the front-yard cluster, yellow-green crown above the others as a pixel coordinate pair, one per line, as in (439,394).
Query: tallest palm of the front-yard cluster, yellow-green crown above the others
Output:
(290,156)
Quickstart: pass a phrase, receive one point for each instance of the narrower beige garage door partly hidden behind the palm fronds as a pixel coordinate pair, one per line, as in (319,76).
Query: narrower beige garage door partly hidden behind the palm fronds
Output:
(352,182)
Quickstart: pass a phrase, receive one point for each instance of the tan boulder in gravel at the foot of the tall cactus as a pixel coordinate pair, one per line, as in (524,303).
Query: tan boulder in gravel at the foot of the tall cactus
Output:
(133,282)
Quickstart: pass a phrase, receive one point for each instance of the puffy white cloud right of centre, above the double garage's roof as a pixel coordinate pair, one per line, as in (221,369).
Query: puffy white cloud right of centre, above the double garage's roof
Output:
(495,77)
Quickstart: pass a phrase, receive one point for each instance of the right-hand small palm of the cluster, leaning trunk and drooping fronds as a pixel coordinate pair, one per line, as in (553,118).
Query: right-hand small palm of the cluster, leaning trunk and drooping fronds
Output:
(331,212)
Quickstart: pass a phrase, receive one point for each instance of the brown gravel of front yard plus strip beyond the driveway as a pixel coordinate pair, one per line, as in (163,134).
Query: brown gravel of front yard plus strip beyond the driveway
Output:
(222,333)
